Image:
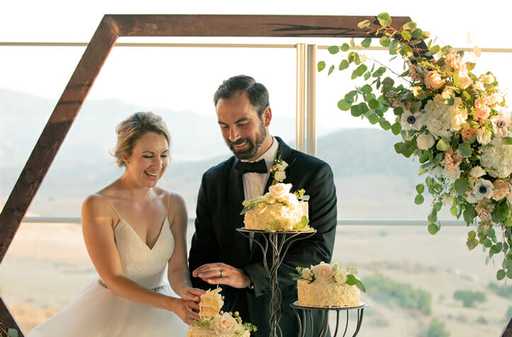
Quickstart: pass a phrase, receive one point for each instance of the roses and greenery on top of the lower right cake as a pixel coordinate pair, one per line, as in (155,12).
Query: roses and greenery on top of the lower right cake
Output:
(330,273)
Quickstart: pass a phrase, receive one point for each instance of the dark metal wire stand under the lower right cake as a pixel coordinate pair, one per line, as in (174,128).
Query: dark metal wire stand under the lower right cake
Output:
(305,319)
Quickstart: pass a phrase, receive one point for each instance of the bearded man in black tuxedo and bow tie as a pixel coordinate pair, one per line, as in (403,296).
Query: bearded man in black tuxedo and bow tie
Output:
(219,255)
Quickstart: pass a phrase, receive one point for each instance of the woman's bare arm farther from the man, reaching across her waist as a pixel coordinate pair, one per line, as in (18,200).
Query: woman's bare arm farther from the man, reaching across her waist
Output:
(99,239)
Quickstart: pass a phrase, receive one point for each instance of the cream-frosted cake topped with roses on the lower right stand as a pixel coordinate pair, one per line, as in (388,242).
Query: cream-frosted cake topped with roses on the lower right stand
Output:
(328,285)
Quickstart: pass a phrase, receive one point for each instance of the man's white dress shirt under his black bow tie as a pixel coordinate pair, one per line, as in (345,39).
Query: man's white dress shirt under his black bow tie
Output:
(254,183)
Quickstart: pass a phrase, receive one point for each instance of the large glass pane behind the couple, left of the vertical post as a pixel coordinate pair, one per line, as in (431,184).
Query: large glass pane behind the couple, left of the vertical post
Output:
(177,83)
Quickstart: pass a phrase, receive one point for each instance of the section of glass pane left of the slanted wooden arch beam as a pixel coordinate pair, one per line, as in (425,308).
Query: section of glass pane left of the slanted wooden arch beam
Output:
(32,80)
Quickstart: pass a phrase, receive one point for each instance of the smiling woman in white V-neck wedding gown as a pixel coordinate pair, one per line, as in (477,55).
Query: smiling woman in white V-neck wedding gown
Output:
(132,231)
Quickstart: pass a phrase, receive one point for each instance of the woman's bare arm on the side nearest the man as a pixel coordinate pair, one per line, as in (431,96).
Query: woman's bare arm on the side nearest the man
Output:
(178,273)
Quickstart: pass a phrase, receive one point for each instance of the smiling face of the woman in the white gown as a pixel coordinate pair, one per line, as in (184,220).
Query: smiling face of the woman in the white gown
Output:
(148,160)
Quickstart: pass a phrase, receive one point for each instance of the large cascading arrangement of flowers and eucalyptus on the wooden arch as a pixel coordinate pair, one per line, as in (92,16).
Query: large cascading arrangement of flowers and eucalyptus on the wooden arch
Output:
(450,118)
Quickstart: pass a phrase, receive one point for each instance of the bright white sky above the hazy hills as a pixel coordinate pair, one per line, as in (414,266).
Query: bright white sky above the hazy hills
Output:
(184,79)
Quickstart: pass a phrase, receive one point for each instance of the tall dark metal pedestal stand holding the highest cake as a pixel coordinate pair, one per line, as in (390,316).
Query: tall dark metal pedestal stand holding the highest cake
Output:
(274,248)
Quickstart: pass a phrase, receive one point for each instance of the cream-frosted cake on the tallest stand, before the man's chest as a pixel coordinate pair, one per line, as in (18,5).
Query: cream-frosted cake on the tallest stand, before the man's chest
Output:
(278,210)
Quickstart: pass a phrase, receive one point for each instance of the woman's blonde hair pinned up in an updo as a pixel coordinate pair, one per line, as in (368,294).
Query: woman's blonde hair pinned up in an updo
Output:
(131,129)
